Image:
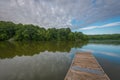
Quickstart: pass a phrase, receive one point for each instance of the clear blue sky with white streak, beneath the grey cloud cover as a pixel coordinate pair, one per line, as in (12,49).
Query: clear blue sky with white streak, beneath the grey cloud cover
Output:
(100,27)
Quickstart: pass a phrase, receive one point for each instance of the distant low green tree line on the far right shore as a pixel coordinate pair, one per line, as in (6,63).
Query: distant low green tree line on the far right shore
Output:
(104,37)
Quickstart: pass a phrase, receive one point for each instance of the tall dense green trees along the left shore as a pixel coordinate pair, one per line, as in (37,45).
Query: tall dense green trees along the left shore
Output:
(29,32)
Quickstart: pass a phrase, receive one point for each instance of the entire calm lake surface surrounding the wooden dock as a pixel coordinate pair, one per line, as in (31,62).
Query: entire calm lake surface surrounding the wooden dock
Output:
(51,60)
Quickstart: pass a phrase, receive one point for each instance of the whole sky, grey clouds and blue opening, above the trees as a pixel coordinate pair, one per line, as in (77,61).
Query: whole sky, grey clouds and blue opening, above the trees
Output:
(87,16)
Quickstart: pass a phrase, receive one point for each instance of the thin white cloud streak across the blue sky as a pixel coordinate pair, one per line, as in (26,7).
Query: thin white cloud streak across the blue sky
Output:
(102,26)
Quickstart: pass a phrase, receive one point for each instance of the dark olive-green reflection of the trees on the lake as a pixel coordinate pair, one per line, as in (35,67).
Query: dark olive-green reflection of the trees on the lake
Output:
(9,50)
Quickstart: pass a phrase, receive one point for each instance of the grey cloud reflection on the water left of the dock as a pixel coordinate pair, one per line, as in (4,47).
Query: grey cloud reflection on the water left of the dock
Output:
(43,66)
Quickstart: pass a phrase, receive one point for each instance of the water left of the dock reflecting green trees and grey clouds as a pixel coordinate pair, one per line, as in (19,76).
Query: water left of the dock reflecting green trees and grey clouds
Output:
(35,60)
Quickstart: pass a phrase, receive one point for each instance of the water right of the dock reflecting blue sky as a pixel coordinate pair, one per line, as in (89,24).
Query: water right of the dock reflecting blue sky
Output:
(108,55)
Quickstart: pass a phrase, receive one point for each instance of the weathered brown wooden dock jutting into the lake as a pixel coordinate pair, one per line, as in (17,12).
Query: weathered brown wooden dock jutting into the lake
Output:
(85,67)
